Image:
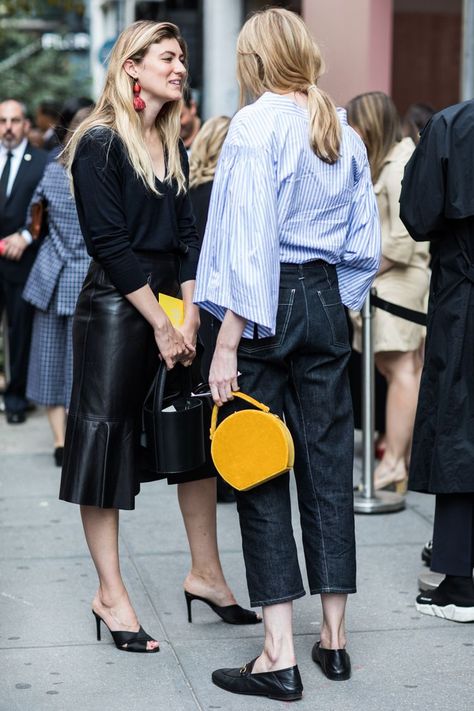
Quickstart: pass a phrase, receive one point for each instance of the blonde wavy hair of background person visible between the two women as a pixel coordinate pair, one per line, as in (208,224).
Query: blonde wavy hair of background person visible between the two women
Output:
(206,149)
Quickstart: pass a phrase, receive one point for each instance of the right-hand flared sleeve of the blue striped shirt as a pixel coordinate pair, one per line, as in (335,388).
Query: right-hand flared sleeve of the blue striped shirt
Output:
(360,260)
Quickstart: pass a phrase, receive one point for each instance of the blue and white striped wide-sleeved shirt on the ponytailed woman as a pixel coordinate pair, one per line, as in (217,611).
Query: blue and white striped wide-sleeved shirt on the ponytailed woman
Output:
(273,201)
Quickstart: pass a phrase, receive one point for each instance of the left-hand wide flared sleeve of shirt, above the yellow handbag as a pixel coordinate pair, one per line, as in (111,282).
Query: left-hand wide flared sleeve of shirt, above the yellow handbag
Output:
(239,267)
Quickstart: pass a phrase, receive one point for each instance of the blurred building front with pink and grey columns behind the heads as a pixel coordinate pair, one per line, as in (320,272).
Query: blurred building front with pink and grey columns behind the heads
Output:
(411,49)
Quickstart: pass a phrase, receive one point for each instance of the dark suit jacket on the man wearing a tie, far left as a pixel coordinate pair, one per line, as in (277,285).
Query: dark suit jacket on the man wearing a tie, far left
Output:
(13,217)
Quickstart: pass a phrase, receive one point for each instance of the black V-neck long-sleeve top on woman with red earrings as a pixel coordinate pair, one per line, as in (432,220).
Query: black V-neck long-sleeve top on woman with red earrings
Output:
(120,216)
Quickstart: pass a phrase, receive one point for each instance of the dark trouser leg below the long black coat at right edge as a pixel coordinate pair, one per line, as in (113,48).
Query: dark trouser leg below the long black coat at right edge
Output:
(453,535)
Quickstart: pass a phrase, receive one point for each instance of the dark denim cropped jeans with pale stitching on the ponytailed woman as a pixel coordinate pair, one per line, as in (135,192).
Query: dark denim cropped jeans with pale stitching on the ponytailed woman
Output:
(301,373)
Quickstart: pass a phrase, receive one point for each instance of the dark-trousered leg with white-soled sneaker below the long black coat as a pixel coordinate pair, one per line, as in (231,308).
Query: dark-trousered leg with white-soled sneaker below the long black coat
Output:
(453,555)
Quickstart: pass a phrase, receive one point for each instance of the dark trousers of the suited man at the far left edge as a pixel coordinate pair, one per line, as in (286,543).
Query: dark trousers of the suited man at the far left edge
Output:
(20,318)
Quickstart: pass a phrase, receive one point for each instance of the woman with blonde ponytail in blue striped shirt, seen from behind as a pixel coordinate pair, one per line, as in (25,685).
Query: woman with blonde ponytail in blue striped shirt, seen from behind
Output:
(292,235)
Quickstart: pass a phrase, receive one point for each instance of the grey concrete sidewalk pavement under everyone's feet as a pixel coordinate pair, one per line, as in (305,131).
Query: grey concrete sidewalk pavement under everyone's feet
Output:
(49,658)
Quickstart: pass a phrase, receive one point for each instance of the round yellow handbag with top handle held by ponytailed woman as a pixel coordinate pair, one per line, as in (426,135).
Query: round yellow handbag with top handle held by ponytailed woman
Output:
(250,447)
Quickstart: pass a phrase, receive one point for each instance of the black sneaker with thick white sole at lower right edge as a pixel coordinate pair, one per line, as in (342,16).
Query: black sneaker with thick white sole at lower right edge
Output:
(453,600)
